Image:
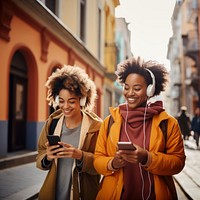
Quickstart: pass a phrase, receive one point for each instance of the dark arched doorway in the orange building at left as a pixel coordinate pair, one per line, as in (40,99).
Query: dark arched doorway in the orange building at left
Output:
(17,103)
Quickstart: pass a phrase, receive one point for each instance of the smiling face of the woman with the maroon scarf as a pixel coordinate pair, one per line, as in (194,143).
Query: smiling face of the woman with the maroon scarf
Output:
(135,90)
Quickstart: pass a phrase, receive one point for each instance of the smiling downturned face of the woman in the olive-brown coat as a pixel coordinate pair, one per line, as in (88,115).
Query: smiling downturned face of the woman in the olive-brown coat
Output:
(69,104)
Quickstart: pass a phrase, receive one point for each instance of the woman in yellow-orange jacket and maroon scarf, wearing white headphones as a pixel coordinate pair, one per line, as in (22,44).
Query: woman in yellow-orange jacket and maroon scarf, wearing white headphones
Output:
(145,172)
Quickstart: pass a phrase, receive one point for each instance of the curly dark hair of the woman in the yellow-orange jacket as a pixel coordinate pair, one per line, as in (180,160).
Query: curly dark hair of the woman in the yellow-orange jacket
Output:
(137,65)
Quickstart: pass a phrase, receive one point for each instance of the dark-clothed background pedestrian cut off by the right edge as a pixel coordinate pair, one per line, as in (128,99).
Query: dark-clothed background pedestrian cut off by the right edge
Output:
(195,126)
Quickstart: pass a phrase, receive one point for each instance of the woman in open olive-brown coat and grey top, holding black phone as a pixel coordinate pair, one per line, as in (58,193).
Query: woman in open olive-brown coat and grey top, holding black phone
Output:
(71,172)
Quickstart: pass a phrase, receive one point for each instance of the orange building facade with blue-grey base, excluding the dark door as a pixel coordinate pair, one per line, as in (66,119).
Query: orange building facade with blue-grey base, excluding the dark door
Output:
(43,51)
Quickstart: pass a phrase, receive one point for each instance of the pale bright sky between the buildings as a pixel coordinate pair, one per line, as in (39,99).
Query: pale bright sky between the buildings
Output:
(150,26)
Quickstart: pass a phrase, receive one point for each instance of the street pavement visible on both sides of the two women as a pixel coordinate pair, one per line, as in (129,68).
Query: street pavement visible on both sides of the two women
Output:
(23,182)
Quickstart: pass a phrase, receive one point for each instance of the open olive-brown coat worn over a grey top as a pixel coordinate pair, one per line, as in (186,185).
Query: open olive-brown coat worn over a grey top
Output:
(89,178)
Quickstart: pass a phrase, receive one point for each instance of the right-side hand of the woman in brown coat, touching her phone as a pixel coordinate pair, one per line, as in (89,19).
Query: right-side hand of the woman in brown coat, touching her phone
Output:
(69,151)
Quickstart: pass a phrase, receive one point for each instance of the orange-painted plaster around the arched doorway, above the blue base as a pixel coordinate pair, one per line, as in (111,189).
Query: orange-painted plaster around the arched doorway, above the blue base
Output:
(32,42)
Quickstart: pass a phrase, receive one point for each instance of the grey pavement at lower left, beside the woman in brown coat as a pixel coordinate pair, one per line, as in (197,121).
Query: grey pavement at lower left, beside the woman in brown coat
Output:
(21,182)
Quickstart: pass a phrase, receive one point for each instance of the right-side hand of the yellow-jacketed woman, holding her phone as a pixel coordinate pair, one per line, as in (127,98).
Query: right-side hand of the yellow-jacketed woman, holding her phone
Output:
(139,155)
